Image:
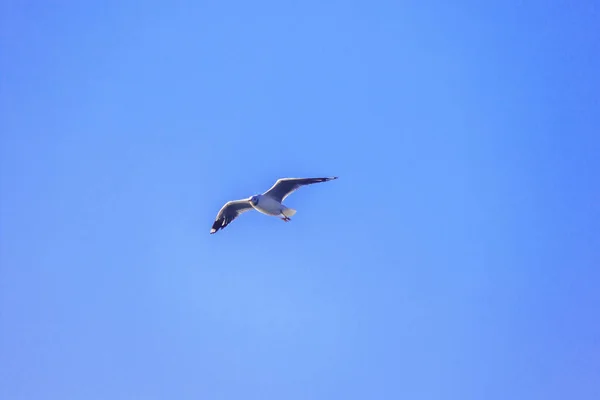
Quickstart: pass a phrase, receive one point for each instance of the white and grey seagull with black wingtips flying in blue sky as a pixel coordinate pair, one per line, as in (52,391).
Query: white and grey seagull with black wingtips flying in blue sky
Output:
(268,203)
